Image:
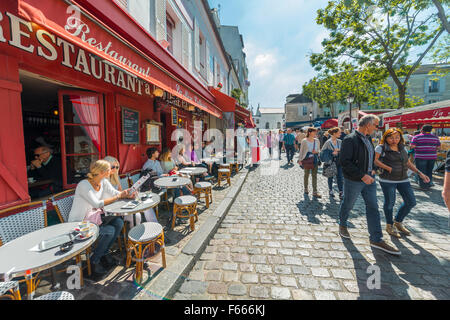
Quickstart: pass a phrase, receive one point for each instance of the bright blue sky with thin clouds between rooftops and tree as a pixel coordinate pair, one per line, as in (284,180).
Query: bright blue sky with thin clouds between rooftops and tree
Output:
(278,36)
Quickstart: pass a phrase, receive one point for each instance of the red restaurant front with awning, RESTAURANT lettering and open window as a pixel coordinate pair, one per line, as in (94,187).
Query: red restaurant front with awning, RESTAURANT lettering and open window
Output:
(72,85)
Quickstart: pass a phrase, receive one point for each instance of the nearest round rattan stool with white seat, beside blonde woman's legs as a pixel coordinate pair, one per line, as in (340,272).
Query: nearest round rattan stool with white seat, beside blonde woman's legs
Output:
(141,241)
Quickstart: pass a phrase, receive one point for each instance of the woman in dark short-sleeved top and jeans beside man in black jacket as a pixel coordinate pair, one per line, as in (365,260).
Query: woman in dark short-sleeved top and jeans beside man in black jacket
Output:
(391,156)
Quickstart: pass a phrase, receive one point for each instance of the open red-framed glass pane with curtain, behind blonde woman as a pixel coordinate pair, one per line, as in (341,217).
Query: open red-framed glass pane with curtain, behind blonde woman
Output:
(82,133)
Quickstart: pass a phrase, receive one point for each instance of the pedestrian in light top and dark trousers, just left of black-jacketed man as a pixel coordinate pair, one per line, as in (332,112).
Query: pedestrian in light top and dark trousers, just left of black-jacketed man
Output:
(334,145)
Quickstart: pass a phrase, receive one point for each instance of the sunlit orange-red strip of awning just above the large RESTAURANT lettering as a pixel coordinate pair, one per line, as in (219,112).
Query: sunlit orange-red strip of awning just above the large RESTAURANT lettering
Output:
(35,15)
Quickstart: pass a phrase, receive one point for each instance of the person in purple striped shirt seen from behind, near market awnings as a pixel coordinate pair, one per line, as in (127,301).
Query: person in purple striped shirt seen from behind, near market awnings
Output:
(425,147)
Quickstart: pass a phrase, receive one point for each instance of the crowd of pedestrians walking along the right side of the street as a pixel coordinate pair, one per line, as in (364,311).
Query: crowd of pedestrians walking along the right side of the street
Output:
(353,160)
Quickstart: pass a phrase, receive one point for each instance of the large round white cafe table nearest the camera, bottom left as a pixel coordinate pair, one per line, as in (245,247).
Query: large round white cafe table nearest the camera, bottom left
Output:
(16,258)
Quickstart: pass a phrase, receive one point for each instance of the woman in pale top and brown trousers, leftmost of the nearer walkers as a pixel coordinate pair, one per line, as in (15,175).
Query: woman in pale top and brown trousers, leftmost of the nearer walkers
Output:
(309,159)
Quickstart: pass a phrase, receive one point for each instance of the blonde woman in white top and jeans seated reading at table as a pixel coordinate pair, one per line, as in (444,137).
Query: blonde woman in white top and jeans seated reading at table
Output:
(92,193)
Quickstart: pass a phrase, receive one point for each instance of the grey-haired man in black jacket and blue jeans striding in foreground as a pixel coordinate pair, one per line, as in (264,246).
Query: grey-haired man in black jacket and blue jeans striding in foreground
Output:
(357,161)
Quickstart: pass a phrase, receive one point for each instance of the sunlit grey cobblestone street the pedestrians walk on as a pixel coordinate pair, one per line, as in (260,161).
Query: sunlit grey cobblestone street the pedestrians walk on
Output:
(276,243)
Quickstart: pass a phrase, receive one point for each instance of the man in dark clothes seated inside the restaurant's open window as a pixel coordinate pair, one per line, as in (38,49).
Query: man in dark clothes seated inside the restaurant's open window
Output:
(46,166)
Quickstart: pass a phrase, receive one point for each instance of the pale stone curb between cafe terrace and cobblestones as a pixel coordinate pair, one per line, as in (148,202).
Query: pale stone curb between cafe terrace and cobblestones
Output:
(170,279)
